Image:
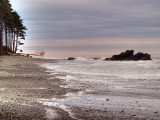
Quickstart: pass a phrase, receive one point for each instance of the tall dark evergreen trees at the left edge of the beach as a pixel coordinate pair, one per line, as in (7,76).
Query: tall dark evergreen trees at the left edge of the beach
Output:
(12,30)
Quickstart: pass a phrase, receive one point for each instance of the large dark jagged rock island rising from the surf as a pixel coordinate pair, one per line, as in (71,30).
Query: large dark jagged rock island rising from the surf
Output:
(129,55)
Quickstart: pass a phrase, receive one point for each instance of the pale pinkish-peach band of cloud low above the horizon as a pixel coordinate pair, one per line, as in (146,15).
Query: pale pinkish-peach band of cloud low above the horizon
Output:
(97,45)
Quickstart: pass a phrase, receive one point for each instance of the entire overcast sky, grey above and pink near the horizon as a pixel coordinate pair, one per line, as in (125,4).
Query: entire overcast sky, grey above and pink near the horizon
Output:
(92,28)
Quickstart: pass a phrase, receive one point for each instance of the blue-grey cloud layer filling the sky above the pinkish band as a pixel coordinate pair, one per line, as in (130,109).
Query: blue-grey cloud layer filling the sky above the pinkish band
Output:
(84,19)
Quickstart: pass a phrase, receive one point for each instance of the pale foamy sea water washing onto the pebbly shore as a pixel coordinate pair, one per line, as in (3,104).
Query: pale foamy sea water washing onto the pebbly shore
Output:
(130,86)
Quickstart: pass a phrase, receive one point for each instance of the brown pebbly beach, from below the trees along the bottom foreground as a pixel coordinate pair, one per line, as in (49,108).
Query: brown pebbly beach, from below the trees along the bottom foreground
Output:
(25,83)
